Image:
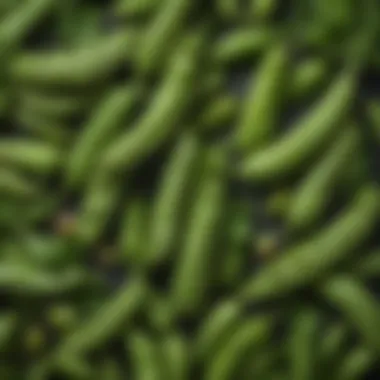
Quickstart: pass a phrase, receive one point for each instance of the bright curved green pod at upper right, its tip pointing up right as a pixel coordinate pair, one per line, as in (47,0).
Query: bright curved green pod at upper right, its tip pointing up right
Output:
(306,138)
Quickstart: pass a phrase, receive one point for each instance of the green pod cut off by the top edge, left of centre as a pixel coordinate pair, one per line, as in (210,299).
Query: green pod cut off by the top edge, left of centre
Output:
(162,34)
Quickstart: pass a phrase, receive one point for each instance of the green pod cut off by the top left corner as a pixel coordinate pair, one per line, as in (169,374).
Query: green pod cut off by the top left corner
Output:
(20,21)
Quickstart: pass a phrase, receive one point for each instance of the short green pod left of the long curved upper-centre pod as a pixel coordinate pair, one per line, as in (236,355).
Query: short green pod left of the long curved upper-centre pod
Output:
(102,126)
